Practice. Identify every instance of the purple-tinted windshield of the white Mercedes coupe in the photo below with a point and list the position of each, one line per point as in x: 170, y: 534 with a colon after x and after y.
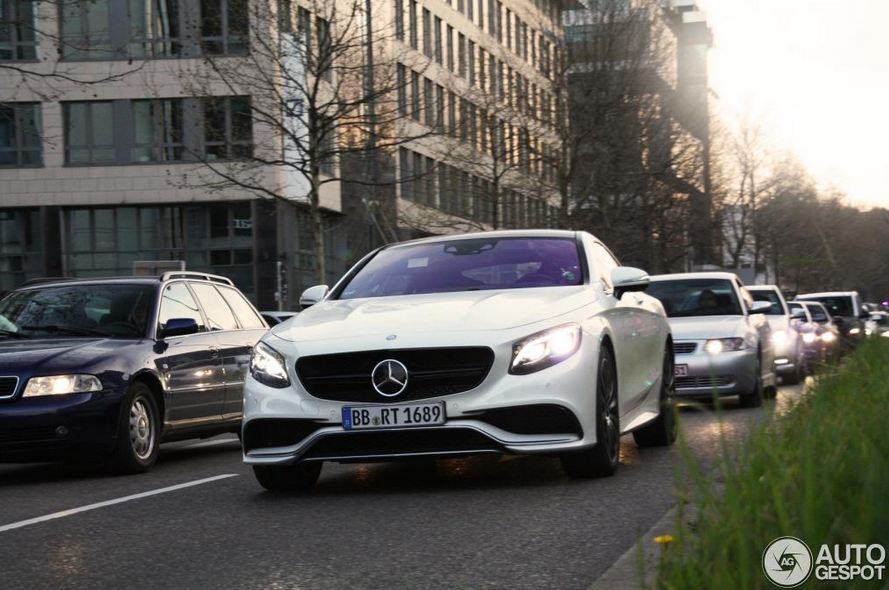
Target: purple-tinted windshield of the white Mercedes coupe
x: 468, y: 265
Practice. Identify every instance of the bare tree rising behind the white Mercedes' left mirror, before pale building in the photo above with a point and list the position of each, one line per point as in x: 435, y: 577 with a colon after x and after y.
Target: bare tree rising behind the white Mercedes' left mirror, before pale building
x: 323, y: 85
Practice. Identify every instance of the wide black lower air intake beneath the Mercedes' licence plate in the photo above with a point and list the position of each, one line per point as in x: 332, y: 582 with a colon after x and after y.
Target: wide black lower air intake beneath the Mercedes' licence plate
x: 438, y: 441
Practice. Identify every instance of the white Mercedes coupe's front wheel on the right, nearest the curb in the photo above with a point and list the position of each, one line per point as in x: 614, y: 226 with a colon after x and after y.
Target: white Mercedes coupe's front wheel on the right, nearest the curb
x: 602, y: 459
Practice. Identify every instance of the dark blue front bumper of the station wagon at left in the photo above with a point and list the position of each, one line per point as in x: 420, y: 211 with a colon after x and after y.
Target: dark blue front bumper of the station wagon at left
x: 53, y: 428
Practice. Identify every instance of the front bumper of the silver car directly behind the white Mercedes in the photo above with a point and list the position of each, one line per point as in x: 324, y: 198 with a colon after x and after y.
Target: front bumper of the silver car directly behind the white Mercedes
x: 723, y: 374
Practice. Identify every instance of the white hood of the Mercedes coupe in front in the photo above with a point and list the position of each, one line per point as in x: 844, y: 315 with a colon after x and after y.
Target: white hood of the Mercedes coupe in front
x: 433, y: 313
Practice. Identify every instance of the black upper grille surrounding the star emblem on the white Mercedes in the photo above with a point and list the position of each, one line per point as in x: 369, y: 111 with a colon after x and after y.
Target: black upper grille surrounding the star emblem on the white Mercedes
x: 432, y: 372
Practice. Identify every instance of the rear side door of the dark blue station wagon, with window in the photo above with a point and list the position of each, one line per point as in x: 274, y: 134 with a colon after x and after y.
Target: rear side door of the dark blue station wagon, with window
x: 236, y: 327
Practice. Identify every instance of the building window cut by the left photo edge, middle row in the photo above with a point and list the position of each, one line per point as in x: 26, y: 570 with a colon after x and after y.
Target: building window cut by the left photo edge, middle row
x: 20, y: 127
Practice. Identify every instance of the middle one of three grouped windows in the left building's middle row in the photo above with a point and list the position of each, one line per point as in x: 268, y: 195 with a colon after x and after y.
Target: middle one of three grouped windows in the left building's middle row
x: 157, y: 131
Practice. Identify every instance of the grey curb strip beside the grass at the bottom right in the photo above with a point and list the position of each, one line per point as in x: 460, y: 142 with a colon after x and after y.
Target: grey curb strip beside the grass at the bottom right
x: 636, y: 568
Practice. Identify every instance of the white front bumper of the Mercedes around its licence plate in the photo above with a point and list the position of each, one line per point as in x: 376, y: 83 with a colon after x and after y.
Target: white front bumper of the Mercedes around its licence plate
x: 285, y: 426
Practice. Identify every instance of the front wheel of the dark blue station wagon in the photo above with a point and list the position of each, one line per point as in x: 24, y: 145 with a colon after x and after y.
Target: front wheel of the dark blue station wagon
x: 138, y: 431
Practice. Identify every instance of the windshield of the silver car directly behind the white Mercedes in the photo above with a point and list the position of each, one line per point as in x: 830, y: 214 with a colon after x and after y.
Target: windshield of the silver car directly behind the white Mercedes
x: 696, y: 297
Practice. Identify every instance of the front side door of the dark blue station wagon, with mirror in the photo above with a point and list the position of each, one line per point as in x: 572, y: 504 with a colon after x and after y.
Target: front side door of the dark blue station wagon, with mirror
x: 191, y: 364
